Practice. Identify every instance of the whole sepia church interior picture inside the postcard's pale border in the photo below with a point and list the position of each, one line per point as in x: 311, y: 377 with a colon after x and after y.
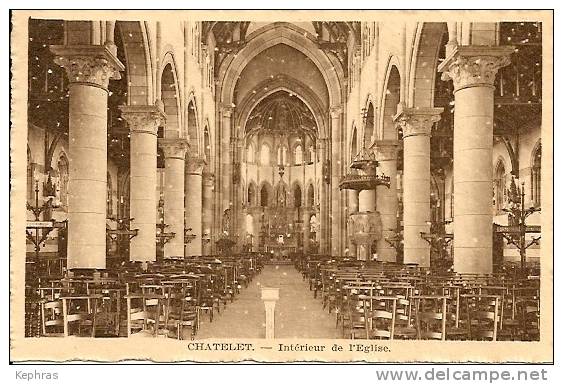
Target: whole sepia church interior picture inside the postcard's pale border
x: 195, y: 179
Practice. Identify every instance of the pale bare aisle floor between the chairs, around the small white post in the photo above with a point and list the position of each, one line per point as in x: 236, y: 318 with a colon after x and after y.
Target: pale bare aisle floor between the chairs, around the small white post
x: 298, y: 314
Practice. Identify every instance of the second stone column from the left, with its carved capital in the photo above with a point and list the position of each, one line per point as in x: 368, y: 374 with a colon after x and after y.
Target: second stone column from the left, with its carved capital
x: 143, y: 121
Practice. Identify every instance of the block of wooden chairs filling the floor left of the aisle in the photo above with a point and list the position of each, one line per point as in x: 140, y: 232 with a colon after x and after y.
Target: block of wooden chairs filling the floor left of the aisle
x: 163, y: 299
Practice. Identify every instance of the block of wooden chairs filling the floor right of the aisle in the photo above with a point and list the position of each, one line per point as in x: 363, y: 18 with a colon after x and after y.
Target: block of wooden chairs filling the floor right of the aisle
x: 380, y: 300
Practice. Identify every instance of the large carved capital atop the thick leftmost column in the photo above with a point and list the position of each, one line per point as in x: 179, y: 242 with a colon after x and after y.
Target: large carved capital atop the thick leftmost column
x: 89, y: 64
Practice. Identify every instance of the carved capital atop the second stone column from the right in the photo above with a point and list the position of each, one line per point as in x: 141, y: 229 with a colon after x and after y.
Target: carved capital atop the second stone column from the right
x: 417, y: 121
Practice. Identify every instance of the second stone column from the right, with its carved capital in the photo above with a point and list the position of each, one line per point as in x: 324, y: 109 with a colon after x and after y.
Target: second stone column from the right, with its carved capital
x: 417, y: 125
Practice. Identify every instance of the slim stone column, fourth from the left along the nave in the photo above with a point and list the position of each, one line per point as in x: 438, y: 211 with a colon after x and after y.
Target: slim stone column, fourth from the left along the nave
x: 194, y: 205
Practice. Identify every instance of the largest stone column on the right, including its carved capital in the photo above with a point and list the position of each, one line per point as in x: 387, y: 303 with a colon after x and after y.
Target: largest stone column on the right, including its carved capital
x: 473, y: 70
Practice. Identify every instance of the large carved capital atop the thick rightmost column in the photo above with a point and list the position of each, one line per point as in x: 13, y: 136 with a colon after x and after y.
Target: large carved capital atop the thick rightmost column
x: 474, y: 66
